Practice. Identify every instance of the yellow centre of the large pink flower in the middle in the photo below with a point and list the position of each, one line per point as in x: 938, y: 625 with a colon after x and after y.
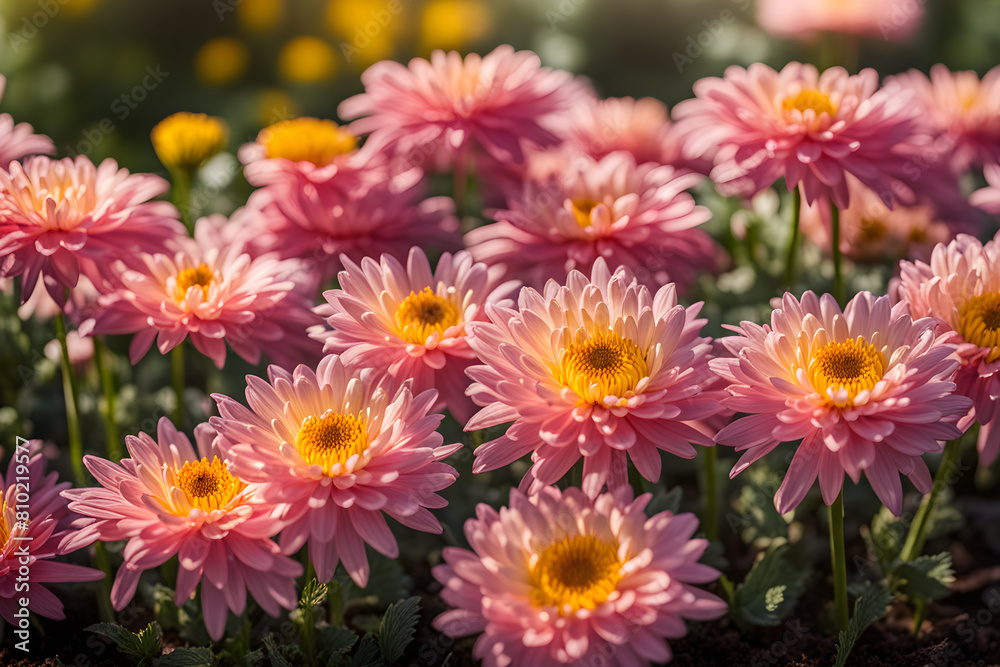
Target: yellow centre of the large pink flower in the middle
x: 605, y: 365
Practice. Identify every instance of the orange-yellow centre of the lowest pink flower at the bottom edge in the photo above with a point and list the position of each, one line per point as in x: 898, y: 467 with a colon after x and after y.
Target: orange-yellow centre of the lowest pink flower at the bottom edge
x: 574, y: 573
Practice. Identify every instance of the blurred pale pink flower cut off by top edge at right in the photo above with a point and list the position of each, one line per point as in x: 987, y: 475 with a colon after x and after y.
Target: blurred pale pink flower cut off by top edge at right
x: 803, y: 19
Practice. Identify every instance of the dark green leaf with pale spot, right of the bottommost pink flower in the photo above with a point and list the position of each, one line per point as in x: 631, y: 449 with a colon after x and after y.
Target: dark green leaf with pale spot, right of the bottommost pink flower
x: 771, y: 589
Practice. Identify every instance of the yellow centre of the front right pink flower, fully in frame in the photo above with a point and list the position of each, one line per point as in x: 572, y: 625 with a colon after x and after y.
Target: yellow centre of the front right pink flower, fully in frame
x: 854, y: 365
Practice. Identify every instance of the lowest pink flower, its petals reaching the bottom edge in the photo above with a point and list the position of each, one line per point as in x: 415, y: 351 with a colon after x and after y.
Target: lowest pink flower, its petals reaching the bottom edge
x: 557, y: 578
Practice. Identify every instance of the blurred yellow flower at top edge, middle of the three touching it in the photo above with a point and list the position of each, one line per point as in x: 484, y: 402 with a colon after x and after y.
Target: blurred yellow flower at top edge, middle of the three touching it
x: 368, y: 29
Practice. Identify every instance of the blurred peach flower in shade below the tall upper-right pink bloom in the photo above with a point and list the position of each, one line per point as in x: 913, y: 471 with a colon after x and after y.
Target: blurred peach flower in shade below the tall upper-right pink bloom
x: 873, y: 233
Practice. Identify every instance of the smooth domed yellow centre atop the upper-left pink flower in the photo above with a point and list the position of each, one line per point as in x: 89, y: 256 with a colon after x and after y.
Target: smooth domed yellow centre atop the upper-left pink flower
x: 307, y: 140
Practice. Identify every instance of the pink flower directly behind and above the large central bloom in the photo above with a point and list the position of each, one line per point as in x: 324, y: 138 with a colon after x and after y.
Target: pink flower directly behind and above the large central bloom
x: 636, y: 216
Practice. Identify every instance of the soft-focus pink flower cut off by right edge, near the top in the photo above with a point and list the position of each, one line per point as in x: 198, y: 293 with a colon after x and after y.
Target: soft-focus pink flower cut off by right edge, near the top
x: 960, y: 108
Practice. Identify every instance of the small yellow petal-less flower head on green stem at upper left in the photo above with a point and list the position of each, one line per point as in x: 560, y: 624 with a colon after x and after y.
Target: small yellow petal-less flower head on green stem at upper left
x: 185, y: 140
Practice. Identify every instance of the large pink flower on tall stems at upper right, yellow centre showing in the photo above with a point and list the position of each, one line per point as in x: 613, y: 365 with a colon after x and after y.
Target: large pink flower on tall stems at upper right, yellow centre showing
x: 760, y: 125
